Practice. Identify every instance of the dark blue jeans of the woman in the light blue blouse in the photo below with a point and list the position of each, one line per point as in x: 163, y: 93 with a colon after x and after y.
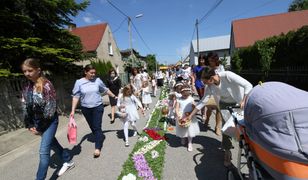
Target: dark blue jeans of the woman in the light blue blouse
x: 94, y: 118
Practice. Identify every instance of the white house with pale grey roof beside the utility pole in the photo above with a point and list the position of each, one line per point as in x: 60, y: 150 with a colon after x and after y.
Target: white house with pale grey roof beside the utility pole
x: 218, y: 44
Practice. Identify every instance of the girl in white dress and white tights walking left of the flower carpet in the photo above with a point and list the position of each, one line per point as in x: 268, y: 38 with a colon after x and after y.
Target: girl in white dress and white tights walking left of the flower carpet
x: 128, y: 102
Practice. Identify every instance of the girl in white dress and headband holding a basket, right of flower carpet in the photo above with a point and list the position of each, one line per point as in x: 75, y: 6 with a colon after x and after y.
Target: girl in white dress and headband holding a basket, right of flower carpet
x: 184, y: 107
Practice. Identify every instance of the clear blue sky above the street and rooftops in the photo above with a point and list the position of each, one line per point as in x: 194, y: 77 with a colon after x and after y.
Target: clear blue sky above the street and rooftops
x: 167, y: 27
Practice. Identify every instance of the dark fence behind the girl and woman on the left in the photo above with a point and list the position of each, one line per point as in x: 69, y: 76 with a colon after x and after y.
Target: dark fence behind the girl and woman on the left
x: 11, y: 117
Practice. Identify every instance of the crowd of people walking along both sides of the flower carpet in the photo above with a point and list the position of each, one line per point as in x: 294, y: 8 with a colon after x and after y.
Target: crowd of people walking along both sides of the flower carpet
x: 214, y: 87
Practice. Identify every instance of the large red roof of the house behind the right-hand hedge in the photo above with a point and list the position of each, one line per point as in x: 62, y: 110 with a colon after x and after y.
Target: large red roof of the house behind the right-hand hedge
x: 245, y: 32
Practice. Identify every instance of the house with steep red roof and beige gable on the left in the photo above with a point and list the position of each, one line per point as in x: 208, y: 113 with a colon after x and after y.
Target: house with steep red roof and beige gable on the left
x: 99, y: 39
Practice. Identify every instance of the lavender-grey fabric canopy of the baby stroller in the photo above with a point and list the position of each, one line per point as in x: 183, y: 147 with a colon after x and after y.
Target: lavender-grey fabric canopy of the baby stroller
x: 276, y: 117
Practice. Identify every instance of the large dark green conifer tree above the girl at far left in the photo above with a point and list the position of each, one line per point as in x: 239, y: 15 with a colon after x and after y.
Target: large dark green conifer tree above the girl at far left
x: 36, y: 28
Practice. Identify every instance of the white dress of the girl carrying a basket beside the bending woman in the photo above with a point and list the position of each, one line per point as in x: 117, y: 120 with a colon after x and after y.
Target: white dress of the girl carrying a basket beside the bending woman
x: 185, y: 105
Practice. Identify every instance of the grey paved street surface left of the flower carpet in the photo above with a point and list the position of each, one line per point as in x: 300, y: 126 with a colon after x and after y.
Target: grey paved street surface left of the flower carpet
x: 19, y: 151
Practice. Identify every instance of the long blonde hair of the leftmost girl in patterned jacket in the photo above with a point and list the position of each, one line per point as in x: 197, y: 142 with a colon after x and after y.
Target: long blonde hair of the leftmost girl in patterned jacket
x: 35, y: 64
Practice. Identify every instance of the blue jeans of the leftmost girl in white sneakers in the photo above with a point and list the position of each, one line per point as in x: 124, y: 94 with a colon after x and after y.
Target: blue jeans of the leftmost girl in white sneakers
x: 49, y: 142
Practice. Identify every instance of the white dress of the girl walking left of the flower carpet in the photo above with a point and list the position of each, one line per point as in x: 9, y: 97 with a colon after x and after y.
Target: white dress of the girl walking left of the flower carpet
x: 130, y: 104
